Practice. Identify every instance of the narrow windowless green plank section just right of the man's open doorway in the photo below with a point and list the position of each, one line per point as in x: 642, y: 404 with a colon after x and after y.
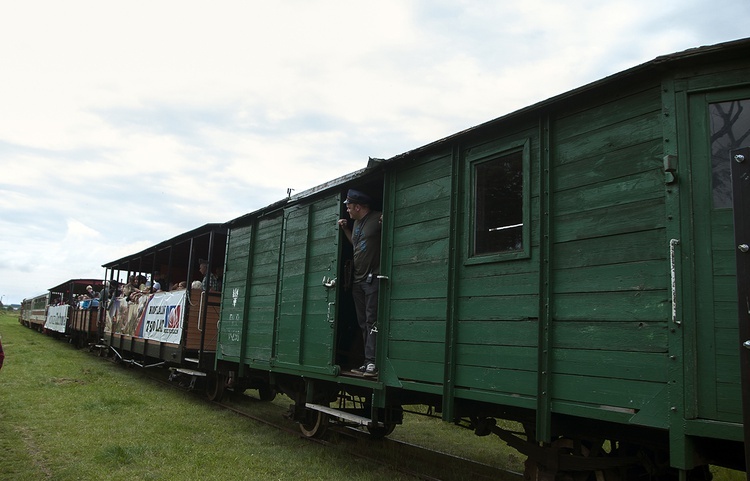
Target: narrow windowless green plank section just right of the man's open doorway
x: 419, y: 278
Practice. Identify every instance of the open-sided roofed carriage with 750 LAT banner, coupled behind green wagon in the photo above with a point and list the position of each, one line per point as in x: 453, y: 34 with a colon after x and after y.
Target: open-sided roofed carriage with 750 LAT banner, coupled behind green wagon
x: 176, y: 324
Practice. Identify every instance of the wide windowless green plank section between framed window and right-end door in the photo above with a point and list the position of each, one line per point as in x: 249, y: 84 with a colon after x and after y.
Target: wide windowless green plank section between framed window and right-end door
x: 609, y: 254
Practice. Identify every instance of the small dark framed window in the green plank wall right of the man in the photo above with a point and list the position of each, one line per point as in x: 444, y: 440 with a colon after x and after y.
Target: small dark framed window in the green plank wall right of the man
x: 498, y: 204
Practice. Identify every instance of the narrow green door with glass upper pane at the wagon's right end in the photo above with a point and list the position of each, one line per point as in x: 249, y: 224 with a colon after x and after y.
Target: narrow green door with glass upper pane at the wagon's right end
x: 719, y: 121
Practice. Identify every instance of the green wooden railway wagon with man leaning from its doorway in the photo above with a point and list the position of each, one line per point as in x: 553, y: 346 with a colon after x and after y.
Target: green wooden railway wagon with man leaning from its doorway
x: 571, y: 266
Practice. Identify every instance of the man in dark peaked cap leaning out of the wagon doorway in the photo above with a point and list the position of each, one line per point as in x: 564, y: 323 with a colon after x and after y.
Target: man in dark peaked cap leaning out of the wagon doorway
x: 364, y: 234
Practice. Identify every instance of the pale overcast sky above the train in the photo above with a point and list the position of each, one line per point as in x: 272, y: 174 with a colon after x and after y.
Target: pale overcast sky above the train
x: 123, y: 124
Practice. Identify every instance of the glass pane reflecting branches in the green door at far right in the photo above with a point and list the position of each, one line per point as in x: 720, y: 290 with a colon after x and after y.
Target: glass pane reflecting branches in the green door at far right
x: 730, y: 129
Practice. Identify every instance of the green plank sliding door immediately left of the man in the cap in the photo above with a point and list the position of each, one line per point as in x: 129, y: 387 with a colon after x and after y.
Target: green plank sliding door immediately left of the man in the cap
x: 304, y: 332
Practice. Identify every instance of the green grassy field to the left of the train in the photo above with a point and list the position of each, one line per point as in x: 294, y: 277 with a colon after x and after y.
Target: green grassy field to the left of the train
x: 68, y: 415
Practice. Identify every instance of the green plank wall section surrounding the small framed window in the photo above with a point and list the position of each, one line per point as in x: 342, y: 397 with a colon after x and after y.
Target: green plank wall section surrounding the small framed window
x: 497, y: 303
